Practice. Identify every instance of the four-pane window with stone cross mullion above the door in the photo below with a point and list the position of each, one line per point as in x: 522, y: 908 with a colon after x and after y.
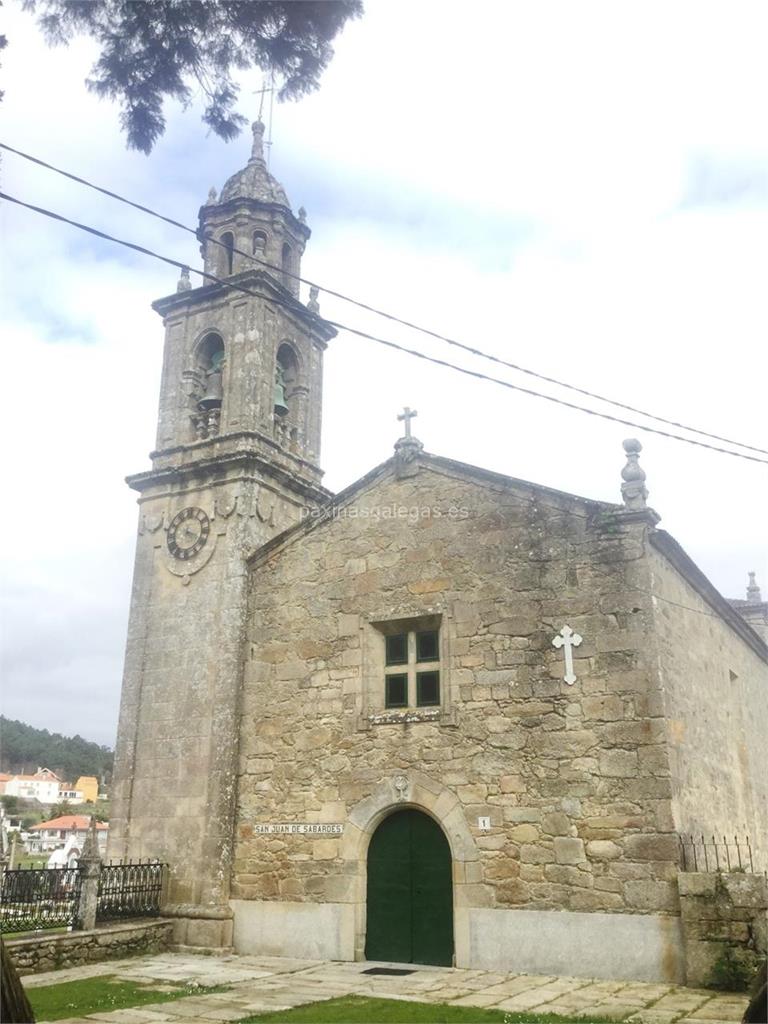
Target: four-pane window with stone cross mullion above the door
x: 412, y: 673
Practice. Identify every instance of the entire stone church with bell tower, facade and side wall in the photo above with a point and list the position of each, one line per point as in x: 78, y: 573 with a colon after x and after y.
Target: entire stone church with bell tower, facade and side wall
x: 446, y: 716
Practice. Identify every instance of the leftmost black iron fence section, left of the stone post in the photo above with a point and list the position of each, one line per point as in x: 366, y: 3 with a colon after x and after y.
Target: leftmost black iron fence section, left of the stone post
x: 39, y: 898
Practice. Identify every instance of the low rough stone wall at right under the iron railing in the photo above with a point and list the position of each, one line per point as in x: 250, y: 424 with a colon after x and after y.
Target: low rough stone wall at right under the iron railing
x: 726, y: 925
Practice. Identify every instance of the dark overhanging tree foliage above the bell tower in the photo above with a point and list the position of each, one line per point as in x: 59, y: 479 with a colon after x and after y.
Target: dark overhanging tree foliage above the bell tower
x: 151, y: 52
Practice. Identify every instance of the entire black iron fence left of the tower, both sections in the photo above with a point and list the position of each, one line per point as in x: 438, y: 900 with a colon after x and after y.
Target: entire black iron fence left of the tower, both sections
x: 56, y: 898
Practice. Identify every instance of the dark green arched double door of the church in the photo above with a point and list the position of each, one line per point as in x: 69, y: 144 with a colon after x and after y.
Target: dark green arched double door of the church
x: 410, y: 892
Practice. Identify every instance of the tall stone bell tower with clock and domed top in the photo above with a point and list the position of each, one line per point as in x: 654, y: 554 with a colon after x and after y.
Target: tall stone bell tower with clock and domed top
x: 237, y: 462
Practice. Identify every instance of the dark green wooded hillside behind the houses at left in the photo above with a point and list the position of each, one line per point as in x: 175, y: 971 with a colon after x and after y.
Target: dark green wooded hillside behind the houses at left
x: 24, y: 748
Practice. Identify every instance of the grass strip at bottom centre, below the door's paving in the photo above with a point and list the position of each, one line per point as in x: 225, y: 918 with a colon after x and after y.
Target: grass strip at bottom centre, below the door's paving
x: 361, y: 1010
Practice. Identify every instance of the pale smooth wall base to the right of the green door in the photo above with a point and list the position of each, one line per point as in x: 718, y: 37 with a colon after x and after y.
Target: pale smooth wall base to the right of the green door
x: 621, y: 947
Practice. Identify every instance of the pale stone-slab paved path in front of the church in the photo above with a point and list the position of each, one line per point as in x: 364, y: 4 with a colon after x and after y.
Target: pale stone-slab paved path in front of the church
x: 260, y: 985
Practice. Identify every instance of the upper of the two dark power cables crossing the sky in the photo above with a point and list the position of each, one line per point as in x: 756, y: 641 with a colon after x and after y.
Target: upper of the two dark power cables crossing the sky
x: 380, y: 313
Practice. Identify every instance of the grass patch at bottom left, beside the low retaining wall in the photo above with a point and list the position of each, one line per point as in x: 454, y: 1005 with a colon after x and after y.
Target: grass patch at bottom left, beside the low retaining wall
x: 76, y: 999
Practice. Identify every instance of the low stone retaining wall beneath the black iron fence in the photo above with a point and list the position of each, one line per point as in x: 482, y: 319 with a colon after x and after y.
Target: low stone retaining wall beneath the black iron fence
x: 49, y: 953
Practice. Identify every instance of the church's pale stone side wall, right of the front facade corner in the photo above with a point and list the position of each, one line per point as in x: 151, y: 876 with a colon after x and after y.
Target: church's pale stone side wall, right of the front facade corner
x: 716, y: 705
